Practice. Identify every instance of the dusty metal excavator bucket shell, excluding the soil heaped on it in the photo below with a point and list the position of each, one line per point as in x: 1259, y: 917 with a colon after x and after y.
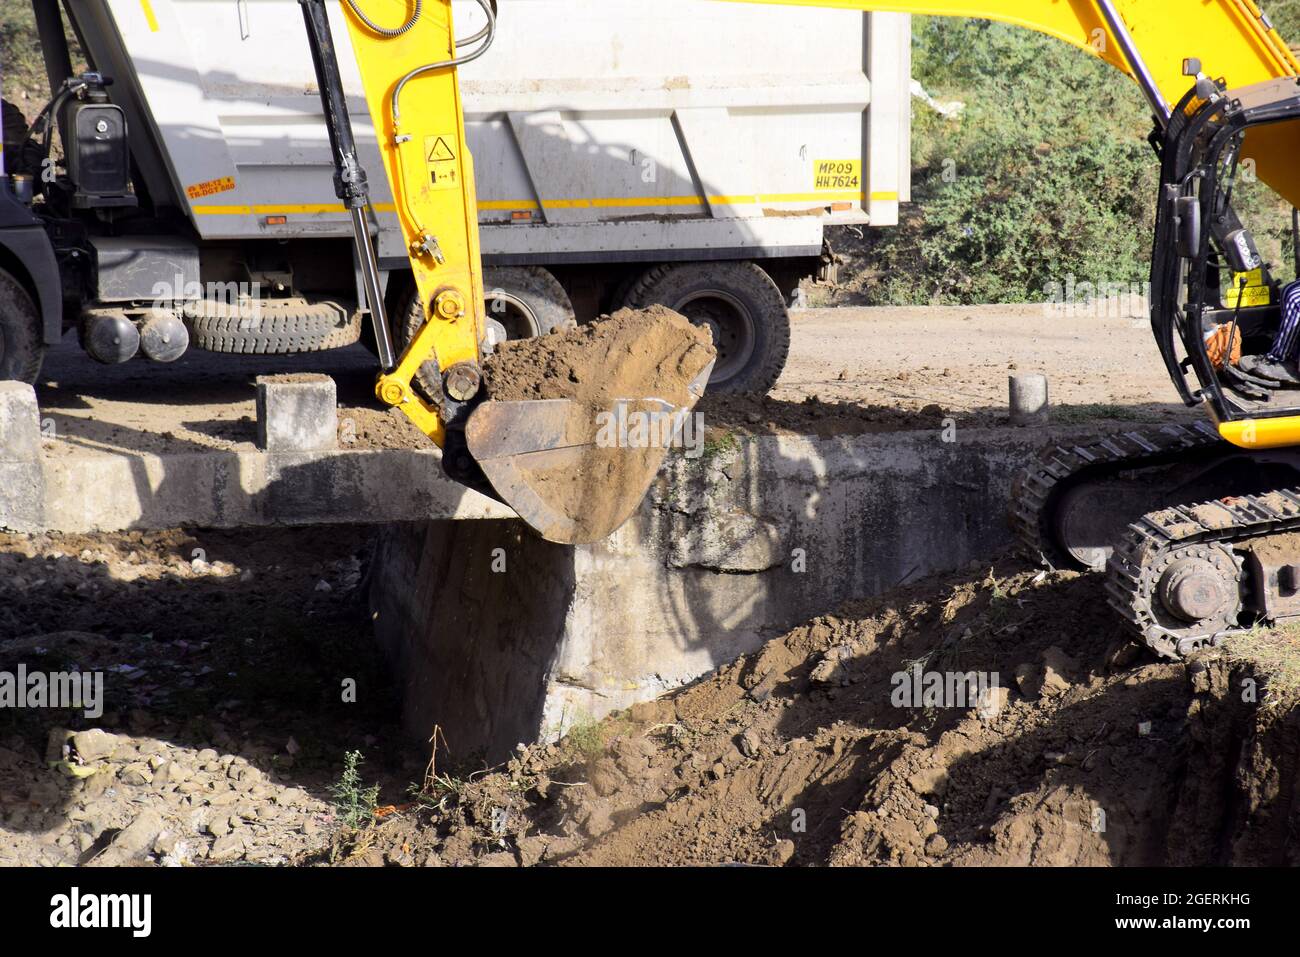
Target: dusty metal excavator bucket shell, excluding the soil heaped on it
x: 575, y: 473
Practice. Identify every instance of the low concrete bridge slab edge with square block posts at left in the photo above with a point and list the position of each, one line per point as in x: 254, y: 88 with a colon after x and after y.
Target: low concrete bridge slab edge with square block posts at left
x: 76, y: 486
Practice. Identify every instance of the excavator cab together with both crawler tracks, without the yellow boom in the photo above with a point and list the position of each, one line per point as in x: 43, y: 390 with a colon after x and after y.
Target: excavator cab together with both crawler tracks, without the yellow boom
x: 1195, y: 526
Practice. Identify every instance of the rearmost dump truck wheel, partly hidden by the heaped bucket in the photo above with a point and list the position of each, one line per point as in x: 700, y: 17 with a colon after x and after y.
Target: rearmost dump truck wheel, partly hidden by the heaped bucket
x: 743, y: 309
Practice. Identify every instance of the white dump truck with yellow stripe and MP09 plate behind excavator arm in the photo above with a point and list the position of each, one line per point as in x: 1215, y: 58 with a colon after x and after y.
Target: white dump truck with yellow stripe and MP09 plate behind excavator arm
x: 684, y: 153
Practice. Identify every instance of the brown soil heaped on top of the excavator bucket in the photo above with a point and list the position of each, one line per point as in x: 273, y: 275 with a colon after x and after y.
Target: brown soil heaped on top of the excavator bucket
x: 629, y: 356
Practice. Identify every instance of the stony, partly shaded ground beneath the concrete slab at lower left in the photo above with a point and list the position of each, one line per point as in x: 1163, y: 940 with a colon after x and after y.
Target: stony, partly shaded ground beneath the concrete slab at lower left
x: 227, y: 665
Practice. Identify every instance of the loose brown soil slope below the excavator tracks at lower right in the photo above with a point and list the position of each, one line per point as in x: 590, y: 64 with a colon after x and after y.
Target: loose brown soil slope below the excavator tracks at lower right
x: 805, y: 754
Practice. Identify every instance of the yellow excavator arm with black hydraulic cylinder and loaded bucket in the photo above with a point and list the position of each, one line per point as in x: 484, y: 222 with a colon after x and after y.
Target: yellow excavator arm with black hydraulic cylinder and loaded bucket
x: 549, y: 458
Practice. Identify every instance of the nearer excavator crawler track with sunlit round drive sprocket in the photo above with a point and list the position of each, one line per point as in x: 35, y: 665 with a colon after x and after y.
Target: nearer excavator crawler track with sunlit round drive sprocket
x: 1204, y: 539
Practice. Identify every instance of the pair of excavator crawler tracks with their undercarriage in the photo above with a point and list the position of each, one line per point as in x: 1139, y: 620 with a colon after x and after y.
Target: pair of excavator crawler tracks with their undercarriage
x: 1197, y: 538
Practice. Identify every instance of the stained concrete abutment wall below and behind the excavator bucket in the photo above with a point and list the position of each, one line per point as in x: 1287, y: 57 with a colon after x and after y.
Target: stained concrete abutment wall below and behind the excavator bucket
x: 727, y: 552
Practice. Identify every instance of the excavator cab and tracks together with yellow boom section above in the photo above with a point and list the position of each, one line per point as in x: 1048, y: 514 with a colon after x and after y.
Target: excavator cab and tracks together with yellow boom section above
x: 1194, y: 526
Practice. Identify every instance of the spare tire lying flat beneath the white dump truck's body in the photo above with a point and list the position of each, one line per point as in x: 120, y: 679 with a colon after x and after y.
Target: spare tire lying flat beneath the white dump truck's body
x: 276, y: 327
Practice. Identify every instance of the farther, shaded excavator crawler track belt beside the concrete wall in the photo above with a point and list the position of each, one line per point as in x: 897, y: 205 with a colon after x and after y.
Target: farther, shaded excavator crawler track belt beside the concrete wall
x: 1061, y: 467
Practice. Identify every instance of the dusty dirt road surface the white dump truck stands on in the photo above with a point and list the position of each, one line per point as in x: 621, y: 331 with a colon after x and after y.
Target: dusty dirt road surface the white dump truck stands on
x: 870, y: 367
